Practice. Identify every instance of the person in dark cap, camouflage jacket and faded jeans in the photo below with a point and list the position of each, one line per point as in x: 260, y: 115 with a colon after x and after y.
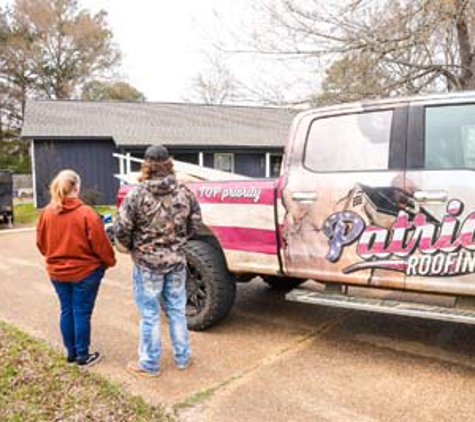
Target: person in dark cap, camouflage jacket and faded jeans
x: 154, y: 222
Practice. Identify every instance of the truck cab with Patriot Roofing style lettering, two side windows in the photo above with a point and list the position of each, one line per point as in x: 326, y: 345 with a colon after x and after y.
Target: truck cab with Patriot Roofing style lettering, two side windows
x: 381, y: 194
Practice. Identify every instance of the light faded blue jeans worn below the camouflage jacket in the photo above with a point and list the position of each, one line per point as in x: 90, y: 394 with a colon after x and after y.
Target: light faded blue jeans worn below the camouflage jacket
x: 148, y: 287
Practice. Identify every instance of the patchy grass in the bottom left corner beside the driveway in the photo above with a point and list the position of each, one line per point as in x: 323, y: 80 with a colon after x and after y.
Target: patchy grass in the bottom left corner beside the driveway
x: 37, y: 385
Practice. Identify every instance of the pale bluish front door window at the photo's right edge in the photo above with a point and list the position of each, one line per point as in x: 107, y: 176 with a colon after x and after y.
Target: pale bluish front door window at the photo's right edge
x: 449, y: 141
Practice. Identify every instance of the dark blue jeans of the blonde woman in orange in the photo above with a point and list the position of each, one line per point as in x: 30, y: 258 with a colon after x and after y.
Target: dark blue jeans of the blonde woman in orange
x: 77, y: 303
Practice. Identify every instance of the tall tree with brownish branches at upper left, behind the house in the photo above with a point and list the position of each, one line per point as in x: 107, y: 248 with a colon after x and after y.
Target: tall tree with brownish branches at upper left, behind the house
x: 50, y: 49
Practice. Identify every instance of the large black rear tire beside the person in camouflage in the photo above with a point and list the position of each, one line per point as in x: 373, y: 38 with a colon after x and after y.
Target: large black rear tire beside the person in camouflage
x: 211, y: 288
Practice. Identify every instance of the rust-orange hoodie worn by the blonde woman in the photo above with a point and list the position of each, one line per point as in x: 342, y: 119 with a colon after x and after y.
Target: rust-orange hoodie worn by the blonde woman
x: 73, y: 241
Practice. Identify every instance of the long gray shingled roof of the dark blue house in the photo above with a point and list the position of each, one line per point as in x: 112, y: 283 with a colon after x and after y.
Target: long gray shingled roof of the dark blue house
x: 129, y: 123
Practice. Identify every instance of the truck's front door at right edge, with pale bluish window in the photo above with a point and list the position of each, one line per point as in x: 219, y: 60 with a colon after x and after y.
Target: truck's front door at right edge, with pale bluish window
x: 441, y: 174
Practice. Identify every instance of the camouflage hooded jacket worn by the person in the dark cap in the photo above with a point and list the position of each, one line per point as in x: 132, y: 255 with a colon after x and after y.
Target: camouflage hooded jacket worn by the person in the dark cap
x: 154, y: 222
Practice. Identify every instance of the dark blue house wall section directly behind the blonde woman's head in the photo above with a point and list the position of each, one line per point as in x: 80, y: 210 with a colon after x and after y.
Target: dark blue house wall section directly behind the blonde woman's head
x: 92, y: 159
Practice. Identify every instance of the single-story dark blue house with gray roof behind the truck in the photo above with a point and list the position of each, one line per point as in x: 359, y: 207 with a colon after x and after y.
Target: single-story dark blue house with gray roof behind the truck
x: 84, y: 135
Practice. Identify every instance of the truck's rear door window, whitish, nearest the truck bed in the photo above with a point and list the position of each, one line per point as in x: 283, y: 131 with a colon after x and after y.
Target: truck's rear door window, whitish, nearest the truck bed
x: 352, y: 142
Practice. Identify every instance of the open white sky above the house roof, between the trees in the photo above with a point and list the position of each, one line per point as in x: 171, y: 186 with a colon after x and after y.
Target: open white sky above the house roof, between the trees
x: 166, y: 44
